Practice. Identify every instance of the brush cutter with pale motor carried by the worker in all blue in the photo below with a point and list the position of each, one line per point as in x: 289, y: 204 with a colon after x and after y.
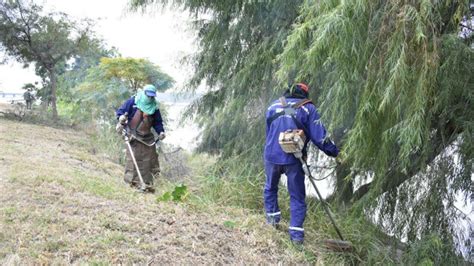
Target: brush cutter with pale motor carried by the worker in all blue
x: 292, y: 141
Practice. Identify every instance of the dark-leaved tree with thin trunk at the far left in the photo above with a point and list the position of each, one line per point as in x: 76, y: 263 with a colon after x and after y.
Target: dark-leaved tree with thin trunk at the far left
x: 47, y: 40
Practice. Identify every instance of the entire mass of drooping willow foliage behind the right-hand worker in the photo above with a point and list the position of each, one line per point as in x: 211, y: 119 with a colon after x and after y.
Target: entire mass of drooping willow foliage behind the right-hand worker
x: 392, y: 80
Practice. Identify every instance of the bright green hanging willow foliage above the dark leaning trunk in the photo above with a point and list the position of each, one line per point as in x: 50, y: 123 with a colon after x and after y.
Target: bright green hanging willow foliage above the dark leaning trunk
x: 381, y: 82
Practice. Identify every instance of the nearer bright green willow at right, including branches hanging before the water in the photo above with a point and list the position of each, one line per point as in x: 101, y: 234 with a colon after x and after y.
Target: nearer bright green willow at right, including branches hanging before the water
x: 395, y: 76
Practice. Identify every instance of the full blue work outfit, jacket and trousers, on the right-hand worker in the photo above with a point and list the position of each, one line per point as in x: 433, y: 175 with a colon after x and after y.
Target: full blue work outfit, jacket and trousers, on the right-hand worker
x: 278, y: 162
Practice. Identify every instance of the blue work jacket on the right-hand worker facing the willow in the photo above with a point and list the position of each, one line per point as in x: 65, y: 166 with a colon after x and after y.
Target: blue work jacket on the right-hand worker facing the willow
x: 308, y: 116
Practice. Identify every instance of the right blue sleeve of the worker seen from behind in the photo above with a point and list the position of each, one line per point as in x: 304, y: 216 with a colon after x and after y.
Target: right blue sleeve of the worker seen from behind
x: 317, y: 133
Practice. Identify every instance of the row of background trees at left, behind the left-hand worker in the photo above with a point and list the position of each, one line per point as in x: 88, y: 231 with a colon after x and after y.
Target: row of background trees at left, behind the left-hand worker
x: 75, y: 66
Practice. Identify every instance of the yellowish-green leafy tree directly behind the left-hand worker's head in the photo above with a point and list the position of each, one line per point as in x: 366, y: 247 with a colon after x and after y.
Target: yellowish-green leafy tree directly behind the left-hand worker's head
x: 95, y: 87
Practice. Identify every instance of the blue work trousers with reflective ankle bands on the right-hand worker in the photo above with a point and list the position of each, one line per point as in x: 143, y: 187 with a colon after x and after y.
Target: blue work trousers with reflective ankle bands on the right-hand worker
x: 296, y: 189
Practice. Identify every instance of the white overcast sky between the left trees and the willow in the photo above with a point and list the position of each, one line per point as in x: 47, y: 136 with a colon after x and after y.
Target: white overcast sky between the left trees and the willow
x: 162, y: 37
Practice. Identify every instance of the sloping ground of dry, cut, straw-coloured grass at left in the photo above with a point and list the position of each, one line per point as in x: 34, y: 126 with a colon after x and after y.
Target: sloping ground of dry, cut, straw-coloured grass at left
x: 61, y: 203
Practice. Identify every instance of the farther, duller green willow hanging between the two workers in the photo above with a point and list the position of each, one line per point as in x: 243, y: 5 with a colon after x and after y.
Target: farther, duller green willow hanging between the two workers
x: 238, y: 42
